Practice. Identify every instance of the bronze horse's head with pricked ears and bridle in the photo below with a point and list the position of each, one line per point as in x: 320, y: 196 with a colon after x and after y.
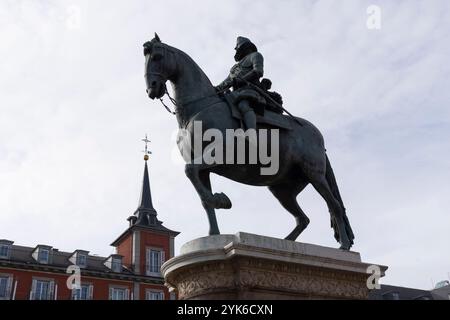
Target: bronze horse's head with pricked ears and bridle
x: 158, y: 67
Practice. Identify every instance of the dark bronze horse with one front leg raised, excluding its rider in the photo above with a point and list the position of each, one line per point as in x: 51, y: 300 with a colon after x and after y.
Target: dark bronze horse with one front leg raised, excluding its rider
x: 302, y: 155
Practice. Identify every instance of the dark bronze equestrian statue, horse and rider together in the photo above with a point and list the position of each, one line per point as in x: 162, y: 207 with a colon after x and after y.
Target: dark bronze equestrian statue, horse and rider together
x: 251, y: 106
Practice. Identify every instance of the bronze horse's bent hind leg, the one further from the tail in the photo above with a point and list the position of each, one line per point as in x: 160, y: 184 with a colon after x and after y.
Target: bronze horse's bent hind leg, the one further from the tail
x: 286, y: 194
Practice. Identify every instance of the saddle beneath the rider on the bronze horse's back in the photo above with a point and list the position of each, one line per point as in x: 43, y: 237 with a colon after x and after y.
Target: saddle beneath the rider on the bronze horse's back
x: 264, y: 114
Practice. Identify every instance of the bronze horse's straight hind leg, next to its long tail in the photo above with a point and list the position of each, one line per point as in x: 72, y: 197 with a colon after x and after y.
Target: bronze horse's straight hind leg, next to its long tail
x: 320, y: 183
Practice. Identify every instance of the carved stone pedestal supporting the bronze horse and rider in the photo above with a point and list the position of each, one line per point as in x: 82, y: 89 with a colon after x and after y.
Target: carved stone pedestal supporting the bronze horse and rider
x: 248, y: 266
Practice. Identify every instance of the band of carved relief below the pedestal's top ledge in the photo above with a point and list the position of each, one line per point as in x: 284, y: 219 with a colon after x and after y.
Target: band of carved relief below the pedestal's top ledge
x: 249, y: 274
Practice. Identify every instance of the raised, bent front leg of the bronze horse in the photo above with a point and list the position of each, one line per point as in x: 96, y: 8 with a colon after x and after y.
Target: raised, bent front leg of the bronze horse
x: 217, y: 200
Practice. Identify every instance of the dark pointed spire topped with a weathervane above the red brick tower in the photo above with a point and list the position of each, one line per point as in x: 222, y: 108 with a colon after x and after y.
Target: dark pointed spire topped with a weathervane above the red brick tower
x: 145, y: 214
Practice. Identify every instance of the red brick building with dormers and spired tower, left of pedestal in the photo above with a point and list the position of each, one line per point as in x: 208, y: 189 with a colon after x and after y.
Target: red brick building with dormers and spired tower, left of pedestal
x: 133, y: 273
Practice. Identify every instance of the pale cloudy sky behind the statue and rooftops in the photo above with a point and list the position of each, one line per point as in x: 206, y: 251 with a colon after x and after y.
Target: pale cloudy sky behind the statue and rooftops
x: 73, y: 111
